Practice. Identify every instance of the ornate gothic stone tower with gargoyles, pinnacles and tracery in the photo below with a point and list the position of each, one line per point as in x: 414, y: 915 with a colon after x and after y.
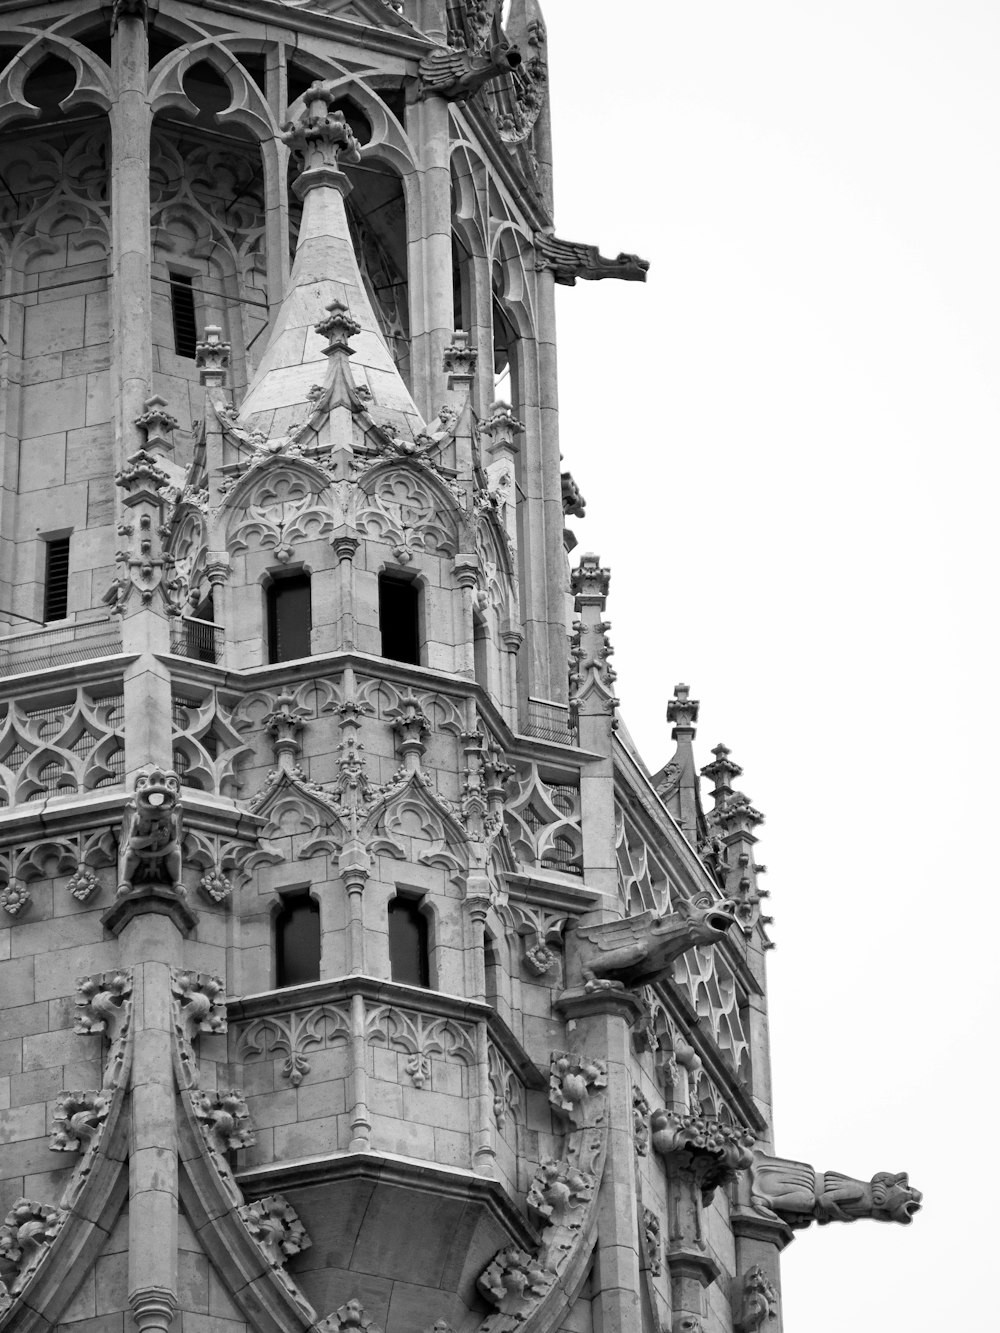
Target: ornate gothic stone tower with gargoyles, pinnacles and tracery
x: 361, y: 975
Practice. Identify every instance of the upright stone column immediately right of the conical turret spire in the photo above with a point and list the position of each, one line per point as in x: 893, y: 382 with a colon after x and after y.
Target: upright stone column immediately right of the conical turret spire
x: 431, y: 307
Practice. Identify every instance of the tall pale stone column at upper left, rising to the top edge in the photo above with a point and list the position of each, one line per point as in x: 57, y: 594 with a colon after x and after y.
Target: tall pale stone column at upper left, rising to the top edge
x: 131, y: 122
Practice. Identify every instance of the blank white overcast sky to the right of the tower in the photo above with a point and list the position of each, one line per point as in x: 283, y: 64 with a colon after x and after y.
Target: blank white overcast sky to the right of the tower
x: 789, y: 443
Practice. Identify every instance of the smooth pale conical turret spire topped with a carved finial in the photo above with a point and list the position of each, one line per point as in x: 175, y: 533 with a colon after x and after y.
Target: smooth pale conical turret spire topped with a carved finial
x: 325, y: 270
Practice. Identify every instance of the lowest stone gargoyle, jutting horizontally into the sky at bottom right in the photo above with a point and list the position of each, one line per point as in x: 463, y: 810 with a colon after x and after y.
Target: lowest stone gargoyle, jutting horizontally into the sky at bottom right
x: 799, y: 1195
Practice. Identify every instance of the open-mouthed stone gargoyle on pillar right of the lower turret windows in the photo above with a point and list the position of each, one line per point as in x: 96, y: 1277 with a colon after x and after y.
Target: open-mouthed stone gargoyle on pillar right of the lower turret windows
x: 641, y: 950
